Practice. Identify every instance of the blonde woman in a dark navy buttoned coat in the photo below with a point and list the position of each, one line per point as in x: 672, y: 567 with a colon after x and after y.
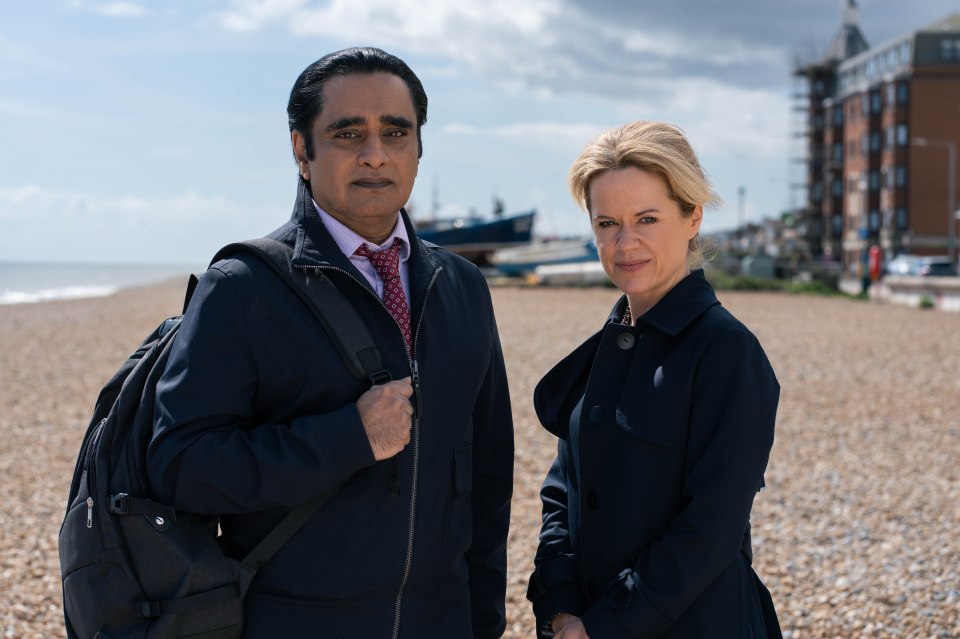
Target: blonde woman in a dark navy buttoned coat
x: 665, y: 421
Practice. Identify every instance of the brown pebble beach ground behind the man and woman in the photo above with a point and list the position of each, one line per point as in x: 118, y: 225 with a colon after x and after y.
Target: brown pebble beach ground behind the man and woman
x: 855, y: 534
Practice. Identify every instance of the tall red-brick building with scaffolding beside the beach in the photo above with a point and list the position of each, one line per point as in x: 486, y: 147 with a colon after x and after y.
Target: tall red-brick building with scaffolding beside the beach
x: 878, y: 126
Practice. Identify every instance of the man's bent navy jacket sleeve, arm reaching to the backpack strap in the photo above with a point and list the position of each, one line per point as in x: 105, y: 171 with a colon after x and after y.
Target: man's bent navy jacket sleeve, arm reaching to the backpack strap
x: 207, y: 455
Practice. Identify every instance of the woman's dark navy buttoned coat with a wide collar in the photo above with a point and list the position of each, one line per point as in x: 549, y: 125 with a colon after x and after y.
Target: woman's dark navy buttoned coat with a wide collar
x: 664, y: 433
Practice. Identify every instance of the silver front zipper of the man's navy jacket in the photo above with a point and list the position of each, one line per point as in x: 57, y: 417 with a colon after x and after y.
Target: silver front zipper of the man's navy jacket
x: 415, y: 434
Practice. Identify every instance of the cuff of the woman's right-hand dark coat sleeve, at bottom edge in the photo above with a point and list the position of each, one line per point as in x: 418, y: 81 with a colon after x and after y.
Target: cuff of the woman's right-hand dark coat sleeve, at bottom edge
x: 624, y: 611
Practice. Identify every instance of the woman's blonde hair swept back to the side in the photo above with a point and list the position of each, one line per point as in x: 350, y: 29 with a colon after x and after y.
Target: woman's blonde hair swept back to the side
x: 655, y: 147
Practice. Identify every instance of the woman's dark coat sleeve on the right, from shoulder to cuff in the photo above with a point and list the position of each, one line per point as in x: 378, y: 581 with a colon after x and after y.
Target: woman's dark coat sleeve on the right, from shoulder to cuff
x: 734, y: 402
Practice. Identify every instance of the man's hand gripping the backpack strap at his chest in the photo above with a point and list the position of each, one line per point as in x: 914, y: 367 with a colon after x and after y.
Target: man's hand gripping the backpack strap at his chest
x: 385, y: 411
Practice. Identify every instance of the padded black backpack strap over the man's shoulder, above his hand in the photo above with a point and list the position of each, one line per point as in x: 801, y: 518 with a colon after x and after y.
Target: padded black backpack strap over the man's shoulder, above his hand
x: 331, y: 308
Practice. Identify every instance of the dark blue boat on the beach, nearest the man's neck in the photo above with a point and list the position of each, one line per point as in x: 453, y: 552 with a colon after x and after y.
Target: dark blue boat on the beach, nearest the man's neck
x: 476, y: 238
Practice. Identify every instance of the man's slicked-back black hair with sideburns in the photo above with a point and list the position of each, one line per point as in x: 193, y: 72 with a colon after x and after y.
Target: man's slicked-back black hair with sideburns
x: 306, y: 97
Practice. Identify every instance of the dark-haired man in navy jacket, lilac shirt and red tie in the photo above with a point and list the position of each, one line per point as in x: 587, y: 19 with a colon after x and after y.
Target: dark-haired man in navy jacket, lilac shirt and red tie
x: 256, y: 412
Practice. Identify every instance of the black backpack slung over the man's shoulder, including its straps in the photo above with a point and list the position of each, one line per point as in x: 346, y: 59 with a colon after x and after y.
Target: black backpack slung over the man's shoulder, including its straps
x: 133, y: 567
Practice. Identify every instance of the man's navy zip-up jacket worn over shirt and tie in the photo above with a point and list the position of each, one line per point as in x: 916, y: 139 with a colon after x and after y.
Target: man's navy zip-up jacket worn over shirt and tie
x: 255, y: 414
